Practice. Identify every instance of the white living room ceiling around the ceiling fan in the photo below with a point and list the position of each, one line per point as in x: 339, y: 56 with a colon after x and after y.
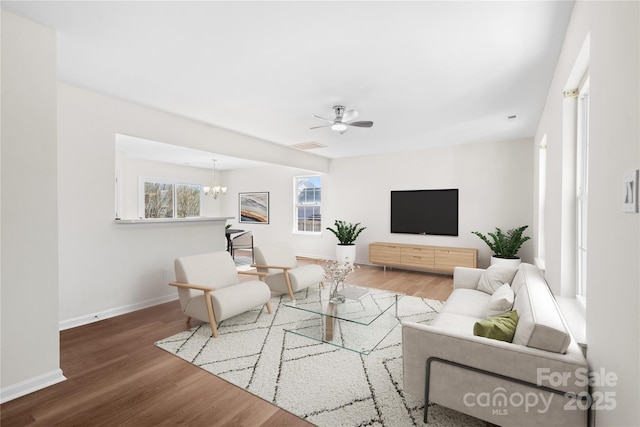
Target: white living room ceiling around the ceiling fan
x: 427, y: 73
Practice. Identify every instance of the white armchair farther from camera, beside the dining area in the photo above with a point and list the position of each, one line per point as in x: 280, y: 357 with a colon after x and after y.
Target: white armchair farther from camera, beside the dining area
x: 284, y: 275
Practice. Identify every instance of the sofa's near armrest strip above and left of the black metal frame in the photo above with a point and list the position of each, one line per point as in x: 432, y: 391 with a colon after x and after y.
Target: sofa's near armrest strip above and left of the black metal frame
x: 421, y: 342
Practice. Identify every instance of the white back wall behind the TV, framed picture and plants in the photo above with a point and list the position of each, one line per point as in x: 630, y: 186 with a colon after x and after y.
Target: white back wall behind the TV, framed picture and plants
x: 495, y: 182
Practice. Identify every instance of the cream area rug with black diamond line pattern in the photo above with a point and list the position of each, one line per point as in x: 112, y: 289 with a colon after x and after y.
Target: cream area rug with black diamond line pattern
x: 324, y: 384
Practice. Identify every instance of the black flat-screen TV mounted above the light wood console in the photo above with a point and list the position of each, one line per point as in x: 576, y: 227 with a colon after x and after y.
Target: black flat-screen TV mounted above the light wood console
x: 425, y: 212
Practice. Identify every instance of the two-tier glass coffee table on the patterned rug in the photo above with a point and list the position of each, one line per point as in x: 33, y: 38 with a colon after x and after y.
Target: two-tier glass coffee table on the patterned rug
x: 359, y: 324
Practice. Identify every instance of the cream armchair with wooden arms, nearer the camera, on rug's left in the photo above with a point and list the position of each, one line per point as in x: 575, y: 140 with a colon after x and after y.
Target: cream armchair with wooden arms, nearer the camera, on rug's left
x: 210, y: 290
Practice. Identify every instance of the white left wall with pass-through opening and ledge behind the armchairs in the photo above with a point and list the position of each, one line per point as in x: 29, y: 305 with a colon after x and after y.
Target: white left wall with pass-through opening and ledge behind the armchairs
x: 108, y: 268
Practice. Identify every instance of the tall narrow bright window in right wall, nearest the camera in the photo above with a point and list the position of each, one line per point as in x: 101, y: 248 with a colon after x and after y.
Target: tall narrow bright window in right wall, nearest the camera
x: 582, y: 189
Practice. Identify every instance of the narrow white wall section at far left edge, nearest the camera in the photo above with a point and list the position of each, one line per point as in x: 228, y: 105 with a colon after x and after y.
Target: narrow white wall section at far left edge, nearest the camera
x: 30, y: 346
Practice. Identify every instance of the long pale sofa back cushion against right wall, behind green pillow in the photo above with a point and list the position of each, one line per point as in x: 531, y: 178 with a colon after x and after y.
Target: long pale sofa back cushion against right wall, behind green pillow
x: 540, y: 323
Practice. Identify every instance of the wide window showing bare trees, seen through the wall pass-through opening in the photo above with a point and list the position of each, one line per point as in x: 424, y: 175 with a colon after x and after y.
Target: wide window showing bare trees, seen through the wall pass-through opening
x: 170, y: 200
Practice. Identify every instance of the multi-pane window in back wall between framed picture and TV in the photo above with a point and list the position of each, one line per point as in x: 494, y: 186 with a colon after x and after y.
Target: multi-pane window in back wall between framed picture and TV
x: 307, y: 196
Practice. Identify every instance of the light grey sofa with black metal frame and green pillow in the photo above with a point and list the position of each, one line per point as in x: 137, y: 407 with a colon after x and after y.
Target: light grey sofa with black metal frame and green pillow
x: 537, y: 379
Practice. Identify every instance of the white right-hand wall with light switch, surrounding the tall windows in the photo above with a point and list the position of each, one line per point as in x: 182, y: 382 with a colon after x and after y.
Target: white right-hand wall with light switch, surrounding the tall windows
x: 613, y: 295
